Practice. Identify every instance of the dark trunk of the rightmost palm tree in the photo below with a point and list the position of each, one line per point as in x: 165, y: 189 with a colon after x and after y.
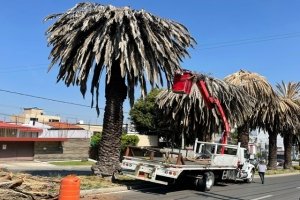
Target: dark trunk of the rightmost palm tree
x: 288, y: 143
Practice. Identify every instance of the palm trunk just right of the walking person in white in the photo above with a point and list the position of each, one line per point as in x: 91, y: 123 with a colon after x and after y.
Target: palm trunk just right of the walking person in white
x: 272, y: 164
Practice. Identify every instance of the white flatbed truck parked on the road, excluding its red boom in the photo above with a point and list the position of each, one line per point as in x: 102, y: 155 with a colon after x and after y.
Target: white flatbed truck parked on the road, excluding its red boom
x: 203, y: 165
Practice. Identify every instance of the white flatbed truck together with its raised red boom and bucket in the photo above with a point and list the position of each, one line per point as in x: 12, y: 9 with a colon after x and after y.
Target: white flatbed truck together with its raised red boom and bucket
x: 203, y: 165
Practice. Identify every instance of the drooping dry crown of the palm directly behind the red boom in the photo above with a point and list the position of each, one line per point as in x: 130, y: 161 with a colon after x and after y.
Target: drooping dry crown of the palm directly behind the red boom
x: 190, y: 113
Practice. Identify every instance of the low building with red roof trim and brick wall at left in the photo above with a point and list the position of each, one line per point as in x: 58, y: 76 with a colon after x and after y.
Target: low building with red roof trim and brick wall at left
x: 38, y: 141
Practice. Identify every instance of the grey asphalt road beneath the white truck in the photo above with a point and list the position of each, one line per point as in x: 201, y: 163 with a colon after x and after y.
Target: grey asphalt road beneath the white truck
x: 275, y: 188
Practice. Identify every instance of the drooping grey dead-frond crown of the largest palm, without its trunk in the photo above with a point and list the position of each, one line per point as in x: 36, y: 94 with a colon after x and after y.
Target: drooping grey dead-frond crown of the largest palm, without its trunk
x: 91, y: 34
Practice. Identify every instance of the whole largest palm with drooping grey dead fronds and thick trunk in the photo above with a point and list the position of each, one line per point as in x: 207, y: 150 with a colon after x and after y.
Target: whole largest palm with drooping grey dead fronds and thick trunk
x: 130, y: 45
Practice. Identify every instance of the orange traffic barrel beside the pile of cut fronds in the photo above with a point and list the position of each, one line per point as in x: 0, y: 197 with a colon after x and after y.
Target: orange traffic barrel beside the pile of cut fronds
x: 69, y: 188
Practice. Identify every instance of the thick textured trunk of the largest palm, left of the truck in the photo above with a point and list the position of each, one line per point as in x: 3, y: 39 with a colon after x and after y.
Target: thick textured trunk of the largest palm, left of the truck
x: 110, y: 144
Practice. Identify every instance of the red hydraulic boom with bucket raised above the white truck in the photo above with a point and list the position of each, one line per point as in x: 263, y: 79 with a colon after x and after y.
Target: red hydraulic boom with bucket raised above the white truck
x: 183, y: 83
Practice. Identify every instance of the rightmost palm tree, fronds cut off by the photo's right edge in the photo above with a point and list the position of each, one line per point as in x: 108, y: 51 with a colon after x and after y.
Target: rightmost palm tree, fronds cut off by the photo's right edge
x: 289, y: 94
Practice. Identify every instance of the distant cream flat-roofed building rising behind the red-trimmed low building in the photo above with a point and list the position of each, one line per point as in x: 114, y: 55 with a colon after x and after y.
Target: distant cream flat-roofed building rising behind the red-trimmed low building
x: 34, y: 114
